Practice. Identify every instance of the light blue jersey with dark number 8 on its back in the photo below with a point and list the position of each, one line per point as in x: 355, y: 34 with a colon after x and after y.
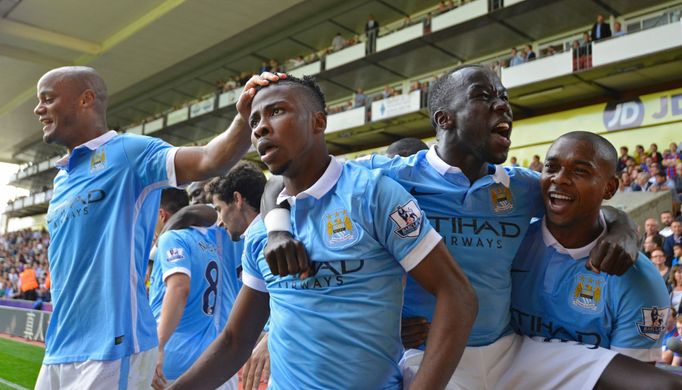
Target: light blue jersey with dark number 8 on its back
x: 193, y: 252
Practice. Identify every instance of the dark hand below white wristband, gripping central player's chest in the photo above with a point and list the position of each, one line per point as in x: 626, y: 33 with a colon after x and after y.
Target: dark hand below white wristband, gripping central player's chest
x: 286, y: 255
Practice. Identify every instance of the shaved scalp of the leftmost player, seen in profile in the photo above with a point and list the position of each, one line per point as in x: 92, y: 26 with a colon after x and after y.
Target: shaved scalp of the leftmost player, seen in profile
x: 81, y: 78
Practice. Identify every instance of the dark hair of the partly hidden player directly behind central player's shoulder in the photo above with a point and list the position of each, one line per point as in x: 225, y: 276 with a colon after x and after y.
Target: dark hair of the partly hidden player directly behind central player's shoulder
x: 245, y: 178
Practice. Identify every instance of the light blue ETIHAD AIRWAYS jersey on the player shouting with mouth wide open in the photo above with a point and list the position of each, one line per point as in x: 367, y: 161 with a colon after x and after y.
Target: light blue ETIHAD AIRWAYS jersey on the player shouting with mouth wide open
x: 482, y: 224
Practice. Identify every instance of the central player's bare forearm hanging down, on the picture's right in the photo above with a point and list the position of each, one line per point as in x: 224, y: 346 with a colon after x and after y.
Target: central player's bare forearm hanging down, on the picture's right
x: 454, y: 315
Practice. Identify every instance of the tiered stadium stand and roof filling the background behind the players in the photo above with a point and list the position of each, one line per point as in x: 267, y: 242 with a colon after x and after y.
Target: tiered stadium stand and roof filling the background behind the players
x: 627, y: 87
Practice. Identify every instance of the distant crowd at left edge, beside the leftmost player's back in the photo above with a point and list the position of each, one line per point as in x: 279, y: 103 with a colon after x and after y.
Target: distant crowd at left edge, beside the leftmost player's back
x: 23, y: 265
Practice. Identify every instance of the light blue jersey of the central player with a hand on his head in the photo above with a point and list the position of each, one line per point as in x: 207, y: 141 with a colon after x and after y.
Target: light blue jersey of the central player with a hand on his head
x: 340, y: 329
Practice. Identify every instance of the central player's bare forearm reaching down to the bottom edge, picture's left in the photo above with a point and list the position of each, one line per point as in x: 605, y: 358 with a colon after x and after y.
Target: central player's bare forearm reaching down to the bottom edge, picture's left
x: 221, y: 360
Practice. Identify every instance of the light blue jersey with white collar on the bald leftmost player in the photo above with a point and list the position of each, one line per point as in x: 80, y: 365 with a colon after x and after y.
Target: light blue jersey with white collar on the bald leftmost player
x: 101, y: 221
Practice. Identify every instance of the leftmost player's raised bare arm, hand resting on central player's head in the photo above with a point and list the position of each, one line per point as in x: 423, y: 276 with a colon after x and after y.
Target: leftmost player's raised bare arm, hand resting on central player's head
x: 221, y: 153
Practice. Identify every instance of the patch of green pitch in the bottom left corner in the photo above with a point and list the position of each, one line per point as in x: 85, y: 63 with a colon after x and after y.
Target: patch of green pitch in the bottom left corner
x: 19, y: 363
